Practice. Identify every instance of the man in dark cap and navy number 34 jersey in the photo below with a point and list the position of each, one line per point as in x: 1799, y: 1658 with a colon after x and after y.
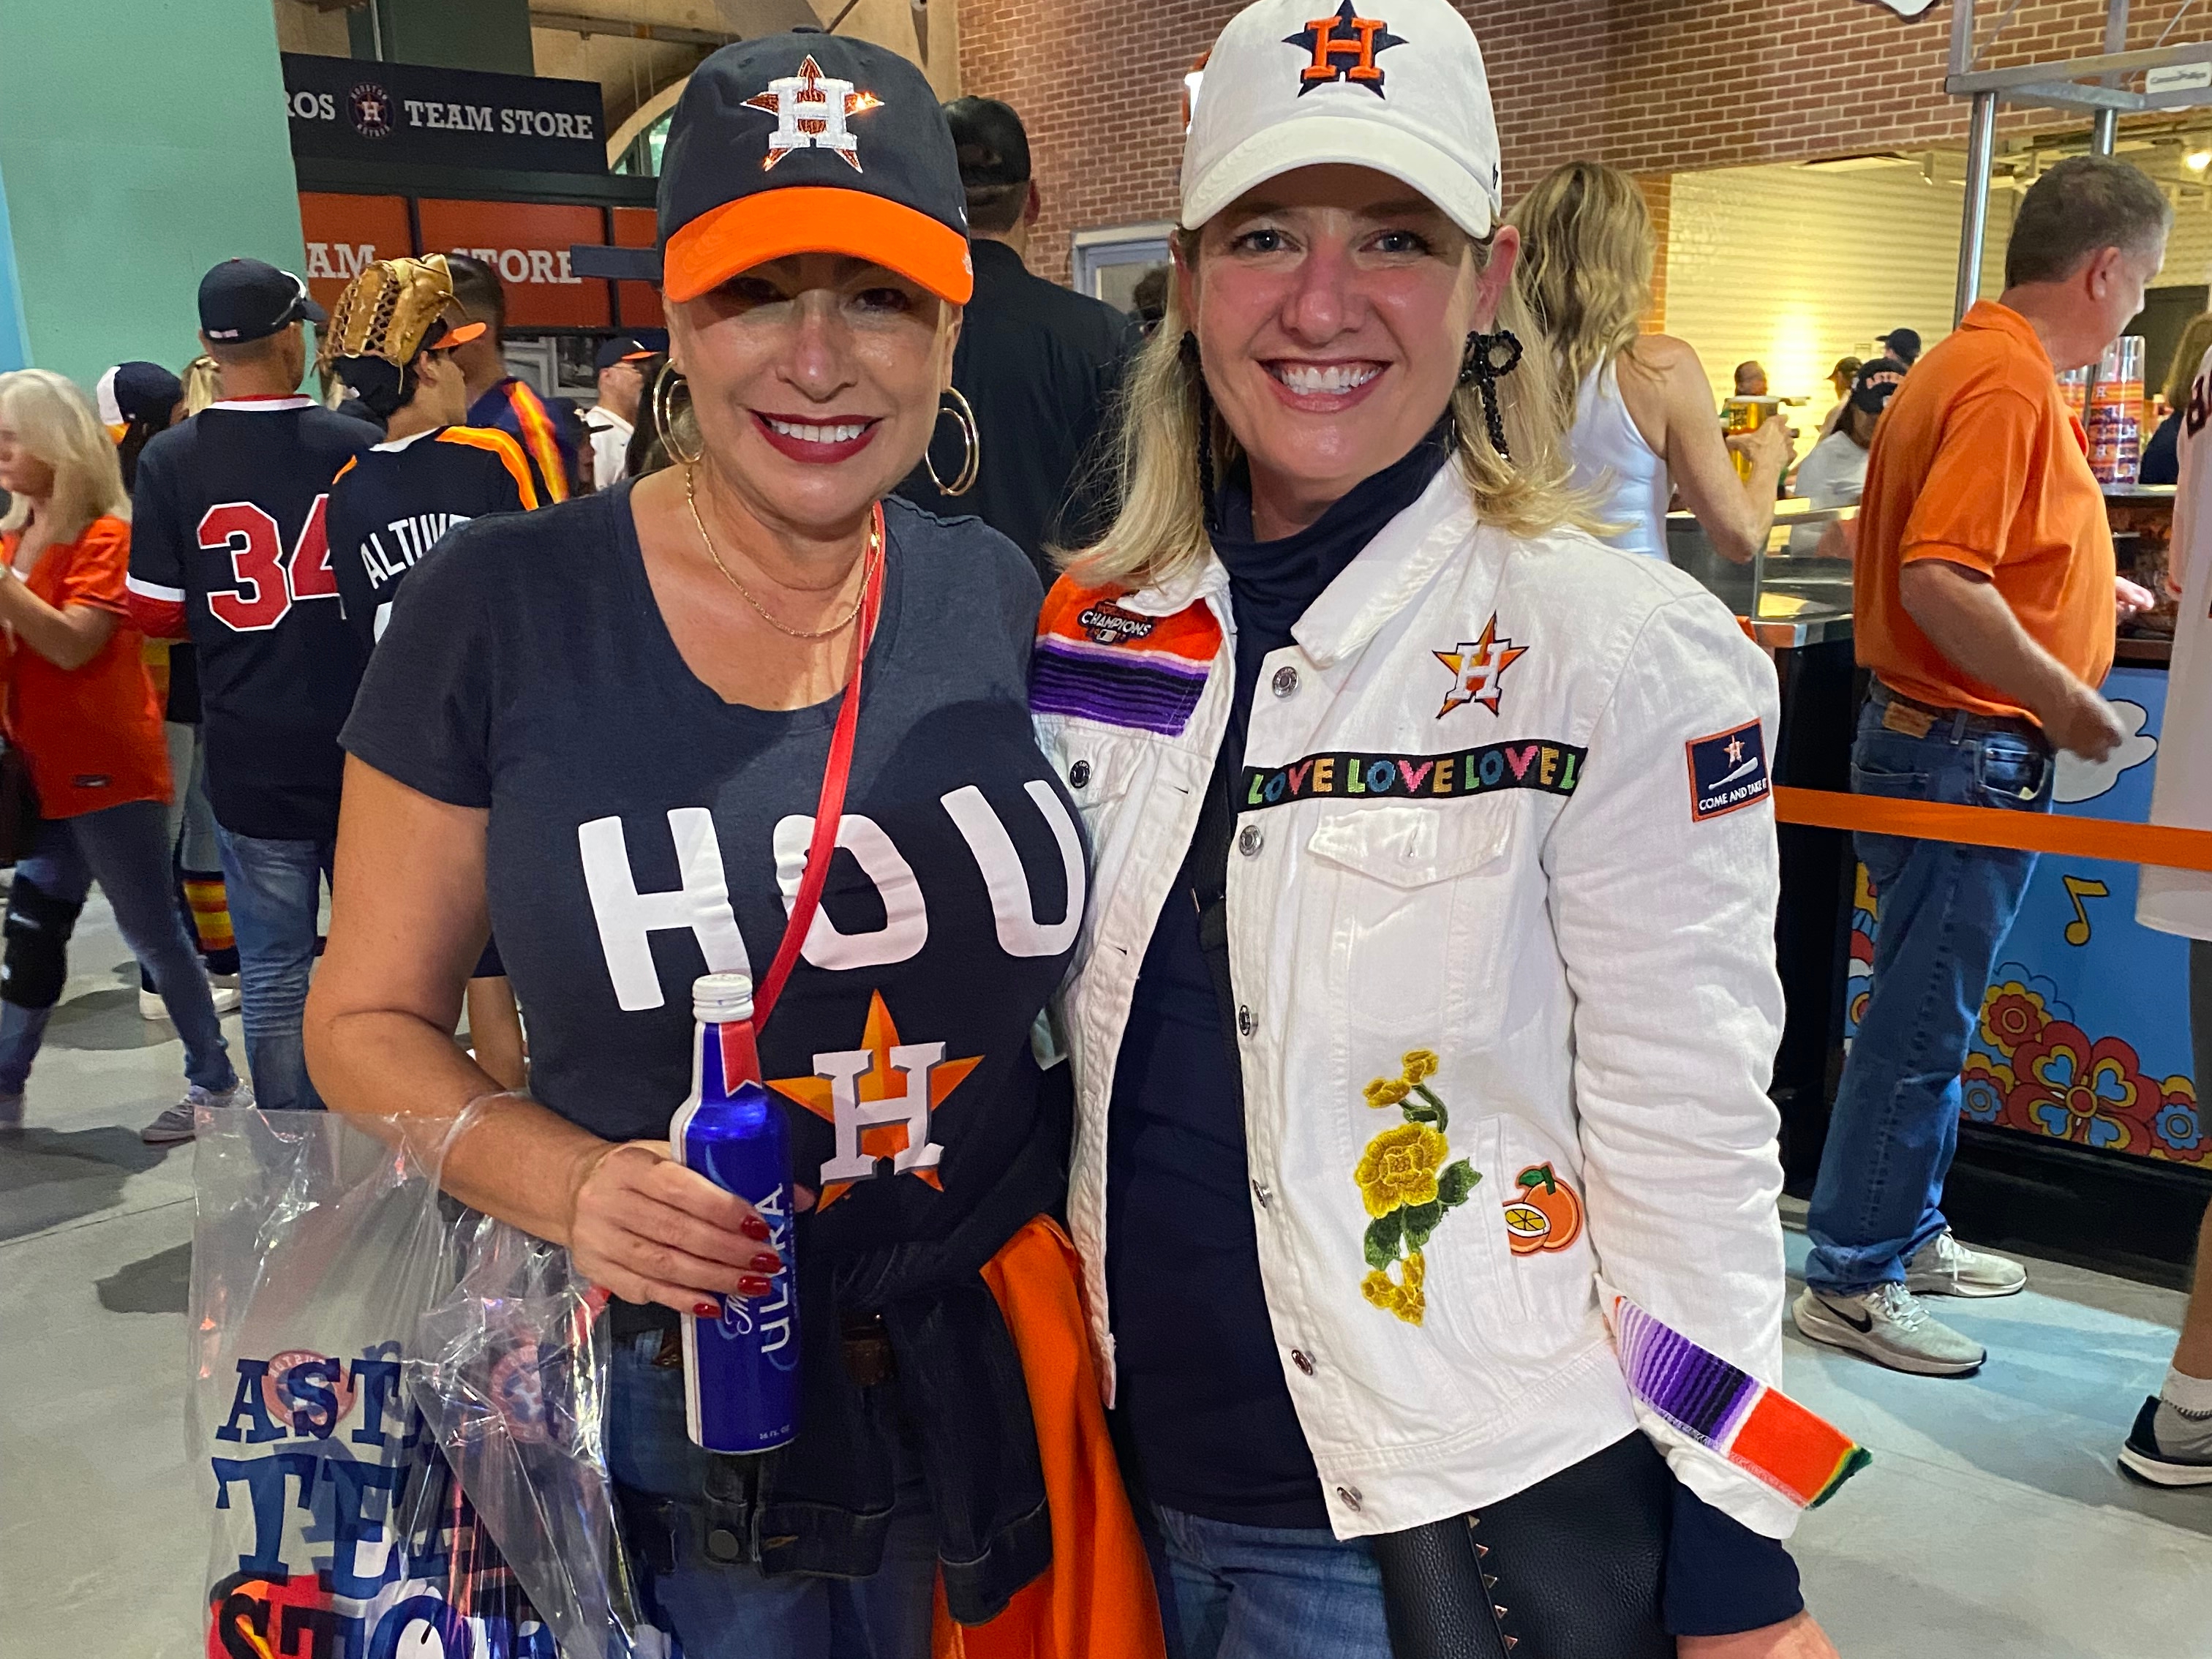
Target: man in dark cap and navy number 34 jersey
x: 229, y: 550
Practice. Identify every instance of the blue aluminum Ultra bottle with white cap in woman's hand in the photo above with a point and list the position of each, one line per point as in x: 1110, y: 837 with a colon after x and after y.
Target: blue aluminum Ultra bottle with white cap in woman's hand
x: 740, y: 1370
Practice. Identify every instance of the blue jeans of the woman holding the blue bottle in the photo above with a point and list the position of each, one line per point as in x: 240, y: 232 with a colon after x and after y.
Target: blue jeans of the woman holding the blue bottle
x: 724, y: 1611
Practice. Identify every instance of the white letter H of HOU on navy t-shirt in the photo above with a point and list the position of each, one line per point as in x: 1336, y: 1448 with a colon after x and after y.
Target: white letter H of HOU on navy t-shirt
x: 627, y: 917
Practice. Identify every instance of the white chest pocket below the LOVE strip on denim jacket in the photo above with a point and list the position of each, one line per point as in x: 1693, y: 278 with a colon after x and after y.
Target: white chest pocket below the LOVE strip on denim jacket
x: 1417, y: 904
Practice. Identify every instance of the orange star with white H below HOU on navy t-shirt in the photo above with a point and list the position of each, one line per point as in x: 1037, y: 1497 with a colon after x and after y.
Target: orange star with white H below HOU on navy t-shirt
x: 879, y: 1100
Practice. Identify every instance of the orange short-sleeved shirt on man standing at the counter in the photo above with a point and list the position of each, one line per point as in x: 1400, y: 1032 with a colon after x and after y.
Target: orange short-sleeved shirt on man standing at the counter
x: 1979, y: 461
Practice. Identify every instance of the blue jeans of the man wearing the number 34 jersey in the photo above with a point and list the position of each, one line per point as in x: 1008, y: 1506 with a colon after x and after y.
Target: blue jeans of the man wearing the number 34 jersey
x: 275, y: 901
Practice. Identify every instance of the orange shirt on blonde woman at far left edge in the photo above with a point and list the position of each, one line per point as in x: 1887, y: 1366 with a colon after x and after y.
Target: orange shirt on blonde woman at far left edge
x: 94, y: 733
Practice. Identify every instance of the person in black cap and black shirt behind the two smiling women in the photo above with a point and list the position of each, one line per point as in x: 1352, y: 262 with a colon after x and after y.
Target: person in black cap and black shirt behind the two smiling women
x: 1039, y: 364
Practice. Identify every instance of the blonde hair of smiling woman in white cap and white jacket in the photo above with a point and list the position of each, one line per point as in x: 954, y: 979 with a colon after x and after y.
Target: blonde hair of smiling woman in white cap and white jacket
x: 1160, y: 532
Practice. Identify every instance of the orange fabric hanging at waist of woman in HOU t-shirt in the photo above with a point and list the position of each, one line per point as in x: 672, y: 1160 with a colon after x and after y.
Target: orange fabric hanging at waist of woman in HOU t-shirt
x: 1096, y: 1600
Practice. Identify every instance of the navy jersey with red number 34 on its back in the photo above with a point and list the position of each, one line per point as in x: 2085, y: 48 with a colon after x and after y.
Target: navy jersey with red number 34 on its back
x: 229, y: 545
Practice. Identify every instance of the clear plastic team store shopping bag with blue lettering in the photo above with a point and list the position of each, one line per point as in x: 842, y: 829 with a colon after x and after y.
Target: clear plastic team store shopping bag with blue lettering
x: 399, y: 1408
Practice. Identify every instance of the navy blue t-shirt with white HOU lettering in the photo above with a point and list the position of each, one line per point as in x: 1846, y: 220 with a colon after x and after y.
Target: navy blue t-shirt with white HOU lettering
x: 645, y: 833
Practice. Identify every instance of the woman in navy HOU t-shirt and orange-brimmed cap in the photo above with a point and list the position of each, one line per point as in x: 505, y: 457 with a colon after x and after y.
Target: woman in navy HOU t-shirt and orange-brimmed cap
x: 625, y: 733
